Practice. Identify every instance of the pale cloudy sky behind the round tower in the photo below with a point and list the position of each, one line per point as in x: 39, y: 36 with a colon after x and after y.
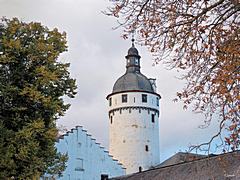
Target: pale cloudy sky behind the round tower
x: 97, y: 56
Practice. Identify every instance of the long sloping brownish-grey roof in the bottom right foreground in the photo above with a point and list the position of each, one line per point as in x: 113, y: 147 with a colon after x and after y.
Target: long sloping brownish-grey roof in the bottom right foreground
x: 220, y: 167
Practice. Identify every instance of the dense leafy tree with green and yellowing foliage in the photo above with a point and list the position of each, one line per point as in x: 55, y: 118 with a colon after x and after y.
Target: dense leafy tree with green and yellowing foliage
x: 32, y: 86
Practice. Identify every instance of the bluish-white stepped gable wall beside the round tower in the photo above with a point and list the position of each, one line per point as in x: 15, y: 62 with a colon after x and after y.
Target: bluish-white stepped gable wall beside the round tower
x: 87, y: 159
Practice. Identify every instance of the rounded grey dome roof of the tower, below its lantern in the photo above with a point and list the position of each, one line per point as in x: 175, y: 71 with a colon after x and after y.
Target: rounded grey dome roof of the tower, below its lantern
x: 132, y: 81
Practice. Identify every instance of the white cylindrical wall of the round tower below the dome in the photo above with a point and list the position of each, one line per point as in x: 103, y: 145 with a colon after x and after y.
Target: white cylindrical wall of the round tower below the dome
x: 132, y: 129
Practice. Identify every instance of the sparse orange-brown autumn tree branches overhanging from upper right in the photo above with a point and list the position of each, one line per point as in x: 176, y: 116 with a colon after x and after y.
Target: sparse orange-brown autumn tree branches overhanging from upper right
x: 202, y: 38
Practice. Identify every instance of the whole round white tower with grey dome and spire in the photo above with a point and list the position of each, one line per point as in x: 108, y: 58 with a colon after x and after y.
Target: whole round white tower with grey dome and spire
x: 133, y: 118
